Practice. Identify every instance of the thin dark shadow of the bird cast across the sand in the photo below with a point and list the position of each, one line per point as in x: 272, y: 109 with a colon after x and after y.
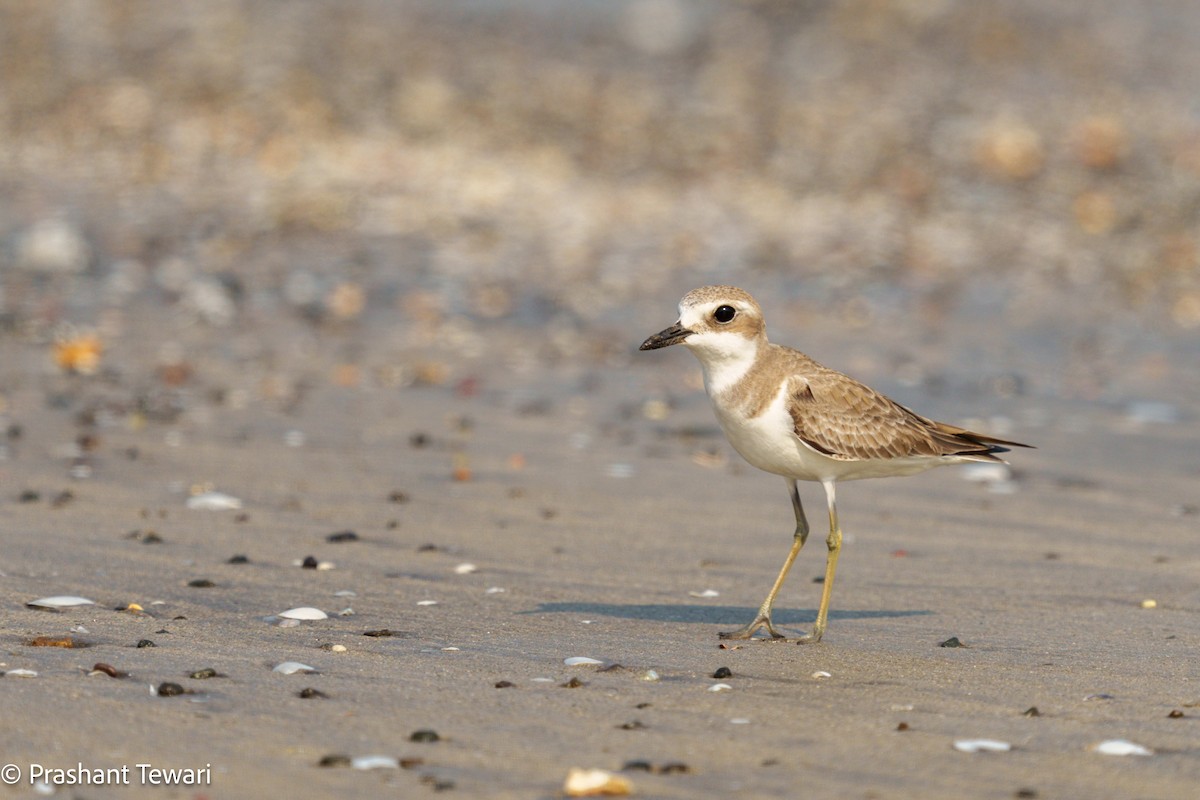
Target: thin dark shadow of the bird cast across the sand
x: 707, y: 615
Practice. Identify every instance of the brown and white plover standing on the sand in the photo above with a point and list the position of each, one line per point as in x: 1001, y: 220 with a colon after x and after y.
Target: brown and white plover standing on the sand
x: 789, y: 416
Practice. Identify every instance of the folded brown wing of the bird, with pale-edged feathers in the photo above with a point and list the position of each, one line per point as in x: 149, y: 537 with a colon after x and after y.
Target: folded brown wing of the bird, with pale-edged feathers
x: 847, y: 420
